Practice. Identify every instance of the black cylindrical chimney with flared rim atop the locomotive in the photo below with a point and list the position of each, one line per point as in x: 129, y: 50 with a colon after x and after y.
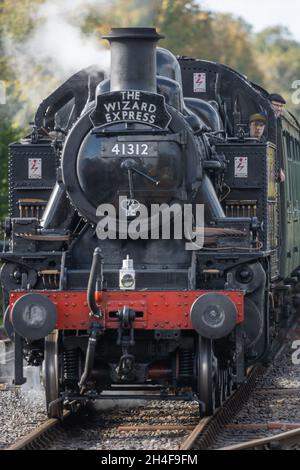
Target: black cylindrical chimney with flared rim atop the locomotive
x: 133, y: 58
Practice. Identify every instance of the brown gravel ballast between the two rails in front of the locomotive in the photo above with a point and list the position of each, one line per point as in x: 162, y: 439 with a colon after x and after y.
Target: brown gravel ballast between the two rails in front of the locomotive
x: 95, y: 430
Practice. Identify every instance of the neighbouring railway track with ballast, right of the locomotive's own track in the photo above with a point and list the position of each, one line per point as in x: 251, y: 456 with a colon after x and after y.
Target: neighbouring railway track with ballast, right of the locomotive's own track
x: 270, y: 419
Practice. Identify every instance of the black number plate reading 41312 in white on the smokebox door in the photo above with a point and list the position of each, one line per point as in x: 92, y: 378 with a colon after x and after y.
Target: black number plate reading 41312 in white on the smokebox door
x: 129, y: 149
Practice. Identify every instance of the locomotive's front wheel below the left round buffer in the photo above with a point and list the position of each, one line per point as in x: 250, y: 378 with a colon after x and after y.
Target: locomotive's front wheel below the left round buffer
x: 52, y: 374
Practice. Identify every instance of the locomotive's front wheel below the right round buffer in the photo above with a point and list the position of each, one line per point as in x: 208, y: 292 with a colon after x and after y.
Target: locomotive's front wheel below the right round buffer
x: 207, y: 376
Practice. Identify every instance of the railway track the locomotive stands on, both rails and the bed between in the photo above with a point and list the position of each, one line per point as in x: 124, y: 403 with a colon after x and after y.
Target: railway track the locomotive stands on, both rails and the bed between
x: 153, y: 423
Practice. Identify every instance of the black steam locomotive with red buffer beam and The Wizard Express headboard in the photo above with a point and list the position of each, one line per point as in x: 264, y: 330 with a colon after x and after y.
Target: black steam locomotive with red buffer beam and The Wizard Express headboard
x: 103, y: 311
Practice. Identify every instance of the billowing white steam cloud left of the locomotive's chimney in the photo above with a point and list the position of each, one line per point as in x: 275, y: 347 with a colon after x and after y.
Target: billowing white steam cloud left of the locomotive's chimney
x: 55, y: 49
